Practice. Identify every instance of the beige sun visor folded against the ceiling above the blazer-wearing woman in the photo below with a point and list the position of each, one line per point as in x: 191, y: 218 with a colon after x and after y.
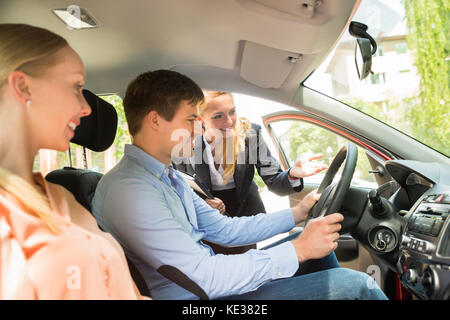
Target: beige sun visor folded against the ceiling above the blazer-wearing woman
x: 267, y: 67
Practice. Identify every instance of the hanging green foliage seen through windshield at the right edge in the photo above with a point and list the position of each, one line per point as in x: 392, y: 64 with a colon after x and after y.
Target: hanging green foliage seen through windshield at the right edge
x: 428, y: 38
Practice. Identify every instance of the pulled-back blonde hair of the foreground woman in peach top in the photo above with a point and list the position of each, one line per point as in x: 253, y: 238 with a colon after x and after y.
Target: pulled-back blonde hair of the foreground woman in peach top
x: 29, y: 49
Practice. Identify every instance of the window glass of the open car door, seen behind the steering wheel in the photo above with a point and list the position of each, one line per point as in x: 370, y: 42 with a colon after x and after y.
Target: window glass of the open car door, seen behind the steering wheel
x: 300, y: 139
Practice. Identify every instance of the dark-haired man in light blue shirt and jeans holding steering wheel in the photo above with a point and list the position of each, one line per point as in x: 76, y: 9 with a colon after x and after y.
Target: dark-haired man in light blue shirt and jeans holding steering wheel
x: 160, y: 222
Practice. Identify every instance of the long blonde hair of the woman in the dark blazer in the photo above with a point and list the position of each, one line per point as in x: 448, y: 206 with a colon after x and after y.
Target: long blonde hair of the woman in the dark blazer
x: 243, y: 125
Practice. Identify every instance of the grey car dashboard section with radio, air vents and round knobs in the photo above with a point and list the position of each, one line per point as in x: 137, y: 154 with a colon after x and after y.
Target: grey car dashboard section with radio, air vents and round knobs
x: 424, y: 247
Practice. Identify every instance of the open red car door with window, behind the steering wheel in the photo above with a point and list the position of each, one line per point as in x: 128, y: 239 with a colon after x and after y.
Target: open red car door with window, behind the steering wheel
x: 297, y: 133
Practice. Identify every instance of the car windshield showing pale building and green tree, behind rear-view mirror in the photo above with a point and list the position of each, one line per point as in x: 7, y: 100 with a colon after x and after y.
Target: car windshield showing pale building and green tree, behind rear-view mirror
x: 409, y: 88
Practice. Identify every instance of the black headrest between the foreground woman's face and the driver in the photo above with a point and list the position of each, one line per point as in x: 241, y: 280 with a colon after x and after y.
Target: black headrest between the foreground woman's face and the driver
x: 98, y: 130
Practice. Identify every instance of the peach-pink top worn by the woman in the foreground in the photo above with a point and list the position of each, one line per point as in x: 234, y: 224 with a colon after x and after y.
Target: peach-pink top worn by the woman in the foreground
x: 74, y: 264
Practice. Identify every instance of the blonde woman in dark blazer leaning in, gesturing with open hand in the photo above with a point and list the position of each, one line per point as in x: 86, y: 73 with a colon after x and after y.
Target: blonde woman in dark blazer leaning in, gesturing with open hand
x: 226, y: 156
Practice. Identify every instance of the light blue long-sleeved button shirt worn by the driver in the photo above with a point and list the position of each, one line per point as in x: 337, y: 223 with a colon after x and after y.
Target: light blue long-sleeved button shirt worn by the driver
x: 161, y: 222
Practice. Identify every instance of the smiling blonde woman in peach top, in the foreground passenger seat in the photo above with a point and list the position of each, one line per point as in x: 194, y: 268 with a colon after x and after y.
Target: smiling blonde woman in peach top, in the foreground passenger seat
x: 50, y: 246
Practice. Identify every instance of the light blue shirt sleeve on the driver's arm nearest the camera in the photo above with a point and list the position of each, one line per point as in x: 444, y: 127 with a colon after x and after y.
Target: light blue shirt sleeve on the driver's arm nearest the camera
x: 138, y: 215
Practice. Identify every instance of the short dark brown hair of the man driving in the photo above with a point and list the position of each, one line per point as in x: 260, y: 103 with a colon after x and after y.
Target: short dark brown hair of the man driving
x: 160, y: 90
